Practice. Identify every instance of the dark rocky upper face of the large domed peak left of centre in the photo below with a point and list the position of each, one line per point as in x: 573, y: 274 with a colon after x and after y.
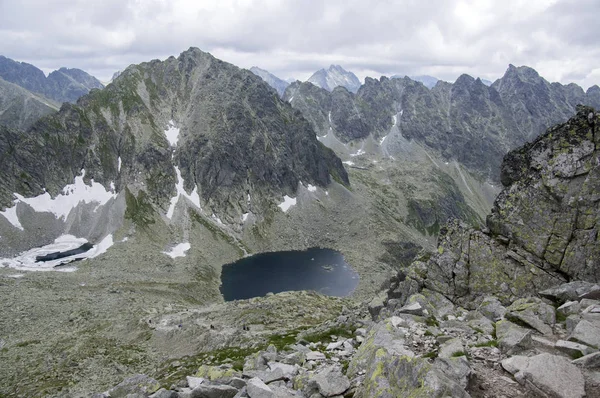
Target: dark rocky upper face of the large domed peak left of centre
x: 238, y: 143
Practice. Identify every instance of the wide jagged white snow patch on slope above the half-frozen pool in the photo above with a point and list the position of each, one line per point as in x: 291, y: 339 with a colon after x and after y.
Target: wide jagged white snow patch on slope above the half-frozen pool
x: 63, y: 203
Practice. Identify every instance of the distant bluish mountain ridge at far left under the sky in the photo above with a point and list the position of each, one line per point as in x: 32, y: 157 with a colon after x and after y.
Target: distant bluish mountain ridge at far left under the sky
x: 63, y: 85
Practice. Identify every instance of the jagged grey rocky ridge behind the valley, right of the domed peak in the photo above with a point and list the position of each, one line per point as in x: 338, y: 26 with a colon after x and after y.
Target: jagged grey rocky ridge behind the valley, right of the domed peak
x: 466, y: 121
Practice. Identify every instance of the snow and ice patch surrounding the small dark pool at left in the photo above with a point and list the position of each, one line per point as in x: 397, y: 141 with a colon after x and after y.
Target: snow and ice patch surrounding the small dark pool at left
x: 26, y: 261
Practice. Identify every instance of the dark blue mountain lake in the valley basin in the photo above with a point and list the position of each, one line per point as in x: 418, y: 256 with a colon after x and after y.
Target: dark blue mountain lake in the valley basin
x: 322, y: 270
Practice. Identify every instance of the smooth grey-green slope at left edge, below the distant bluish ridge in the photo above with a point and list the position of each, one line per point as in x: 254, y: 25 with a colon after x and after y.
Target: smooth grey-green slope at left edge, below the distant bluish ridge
x: 20, y: 108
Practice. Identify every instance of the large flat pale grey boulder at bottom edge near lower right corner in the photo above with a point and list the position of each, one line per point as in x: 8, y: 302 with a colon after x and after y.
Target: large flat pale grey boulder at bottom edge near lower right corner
x: 547, y: 374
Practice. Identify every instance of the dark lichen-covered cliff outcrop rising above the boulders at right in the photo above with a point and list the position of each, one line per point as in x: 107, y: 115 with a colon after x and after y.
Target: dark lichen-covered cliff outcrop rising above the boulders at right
x: 543, y: 228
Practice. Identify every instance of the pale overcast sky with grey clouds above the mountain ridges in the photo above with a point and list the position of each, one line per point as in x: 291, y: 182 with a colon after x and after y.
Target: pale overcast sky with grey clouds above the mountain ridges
x: 293, y: 38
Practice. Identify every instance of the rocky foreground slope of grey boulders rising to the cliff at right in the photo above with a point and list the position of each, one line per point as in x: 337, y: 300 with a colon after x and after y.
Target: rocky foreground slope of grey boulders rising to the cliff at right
x: 485, y: 316
